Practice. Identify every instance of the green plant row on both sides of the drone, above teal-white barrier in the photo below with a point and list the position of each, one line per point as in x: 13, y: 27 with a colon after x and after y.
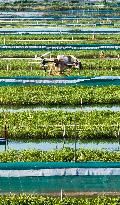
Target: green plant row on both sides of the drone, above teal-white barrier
x: 93, y: 64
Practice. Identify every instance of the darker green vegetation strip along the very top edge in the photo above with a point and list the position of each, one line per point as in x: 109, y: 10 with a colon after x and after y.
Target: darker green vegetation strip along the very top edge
x: 56, y: 5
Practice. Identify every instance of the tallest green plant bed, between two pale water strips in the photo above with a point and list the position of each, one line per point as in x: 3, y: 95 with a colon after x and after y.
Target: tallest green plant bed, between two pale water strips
x: 49, y: 124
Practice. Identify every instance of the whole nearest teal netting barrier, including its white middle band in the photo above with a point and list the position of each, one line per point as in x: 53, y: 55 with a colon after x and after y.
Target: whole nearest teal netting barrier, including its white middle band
x: 52, y: 177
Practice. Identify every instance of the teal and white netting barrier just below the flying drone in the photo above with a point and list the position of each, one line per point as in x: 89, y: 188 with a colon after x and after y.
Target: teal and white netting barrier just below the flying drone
x: 60, y: 81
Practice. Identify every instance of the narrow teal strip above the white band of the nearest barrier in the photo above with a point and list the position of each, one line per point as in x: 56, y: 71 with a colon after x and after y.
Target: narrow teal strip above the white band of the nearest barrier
x: 54, y: 165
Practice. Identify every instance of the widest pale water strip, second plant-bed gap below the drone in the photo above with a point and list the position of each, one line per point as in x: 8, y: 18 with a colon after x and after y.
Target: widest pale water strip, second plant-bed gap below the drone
x: 53, y: 145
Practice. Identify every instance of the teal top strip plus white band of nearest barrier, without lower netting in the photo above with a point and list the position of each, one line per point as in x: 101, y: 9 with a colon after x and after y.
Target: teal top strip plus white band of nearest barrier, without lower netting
x: 22, y: 169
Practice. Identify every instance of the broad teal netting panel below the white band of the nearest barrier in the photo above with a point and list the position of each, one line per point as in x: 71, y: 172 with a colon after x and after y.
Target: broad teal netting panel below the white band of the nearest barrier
x: 55, y: 184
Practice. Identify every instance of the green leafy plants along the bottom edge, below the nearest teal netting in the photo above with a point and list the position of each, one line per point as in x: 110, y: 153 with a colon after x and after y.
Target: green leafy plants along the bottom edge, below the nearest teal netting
x: 43, y: 200
